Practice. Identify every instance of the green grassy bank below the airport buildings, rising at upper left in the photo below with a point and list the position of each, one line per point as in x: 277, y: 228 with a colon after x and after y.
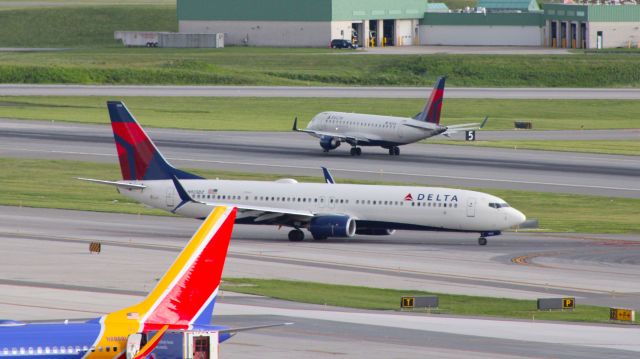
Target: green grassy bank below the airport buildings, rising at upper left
x: 96, y: 58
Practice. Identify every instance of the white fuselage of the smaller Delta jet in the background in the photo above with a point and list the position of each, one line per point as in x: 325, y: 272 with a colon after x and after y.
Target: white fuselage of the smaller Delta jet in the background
x: 378, y: 129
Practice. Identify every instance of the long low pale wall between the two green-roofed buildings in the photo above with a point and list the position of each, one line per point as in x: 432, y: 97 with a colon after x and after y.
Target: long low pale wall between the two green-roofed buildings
x: 481, y: 35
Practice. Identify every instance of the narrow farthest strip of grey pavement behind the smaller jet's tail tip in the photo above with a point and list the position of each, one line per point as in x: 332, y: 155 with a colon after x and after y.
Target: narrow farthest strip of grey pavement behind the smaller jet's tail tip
x: 328, y: 92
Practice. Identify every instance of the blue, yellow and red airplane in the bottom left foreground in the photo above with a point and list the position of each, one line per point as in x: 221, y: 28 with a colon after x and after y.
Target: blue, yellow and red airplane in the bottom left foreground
x: 181, y: 303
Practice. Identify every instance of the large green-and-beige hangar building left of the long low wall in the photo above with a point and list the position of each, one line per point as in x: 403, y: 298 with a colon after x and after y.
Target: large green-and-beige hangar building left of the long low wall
x: 303, y: 22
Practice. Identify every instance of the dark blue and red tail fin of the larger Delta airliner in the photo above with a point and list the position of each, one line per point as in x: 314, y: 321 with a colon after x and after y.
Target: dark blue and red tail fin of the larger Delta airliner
x: 139, y: 157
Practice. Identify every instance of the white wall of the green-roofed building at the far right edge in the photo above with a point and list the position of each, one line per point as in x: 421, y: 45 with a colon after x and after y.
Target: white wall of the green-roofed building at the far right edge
x: 614, y: 34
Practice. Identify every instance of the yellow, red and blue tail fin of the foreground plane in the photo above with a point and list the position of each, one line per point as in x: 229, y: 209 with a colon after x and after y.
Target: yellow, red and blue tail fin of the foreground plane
x: 184, y: 297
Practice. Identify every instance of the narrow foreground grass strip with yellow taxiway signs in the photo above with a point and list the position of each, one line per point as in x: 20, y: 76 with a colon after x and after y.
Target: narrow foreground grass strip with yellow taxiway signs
x: 389, y: 299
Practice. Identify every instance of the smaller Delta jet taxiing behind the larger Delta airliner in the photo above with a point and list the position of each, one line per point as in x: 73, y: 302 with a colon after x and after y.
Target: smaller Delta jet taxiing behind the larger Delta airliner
x: 358, y: 130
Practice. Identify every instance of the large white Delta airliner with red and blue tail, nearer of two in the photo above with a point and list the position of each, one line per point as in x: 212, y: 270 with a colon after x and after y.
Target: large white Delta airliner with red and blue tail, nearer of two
x: 324, y: 209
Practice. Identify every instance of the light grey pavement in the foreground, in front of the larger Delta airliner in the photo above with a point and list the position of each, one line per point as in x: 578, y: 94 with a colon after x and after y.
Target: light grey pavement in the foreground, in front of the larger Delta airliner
x: 47, y: 273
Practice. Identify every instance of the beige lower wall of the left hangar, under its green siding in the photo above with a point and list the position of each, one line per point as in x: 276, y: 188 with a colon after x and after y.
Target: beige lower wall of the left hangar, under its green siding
x: 267, y: 33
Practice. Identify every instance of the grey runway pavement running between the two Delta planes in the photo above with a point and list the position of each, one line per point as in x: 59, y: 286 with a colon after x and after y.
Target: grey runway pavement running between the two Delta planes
x: 299, y: 154
